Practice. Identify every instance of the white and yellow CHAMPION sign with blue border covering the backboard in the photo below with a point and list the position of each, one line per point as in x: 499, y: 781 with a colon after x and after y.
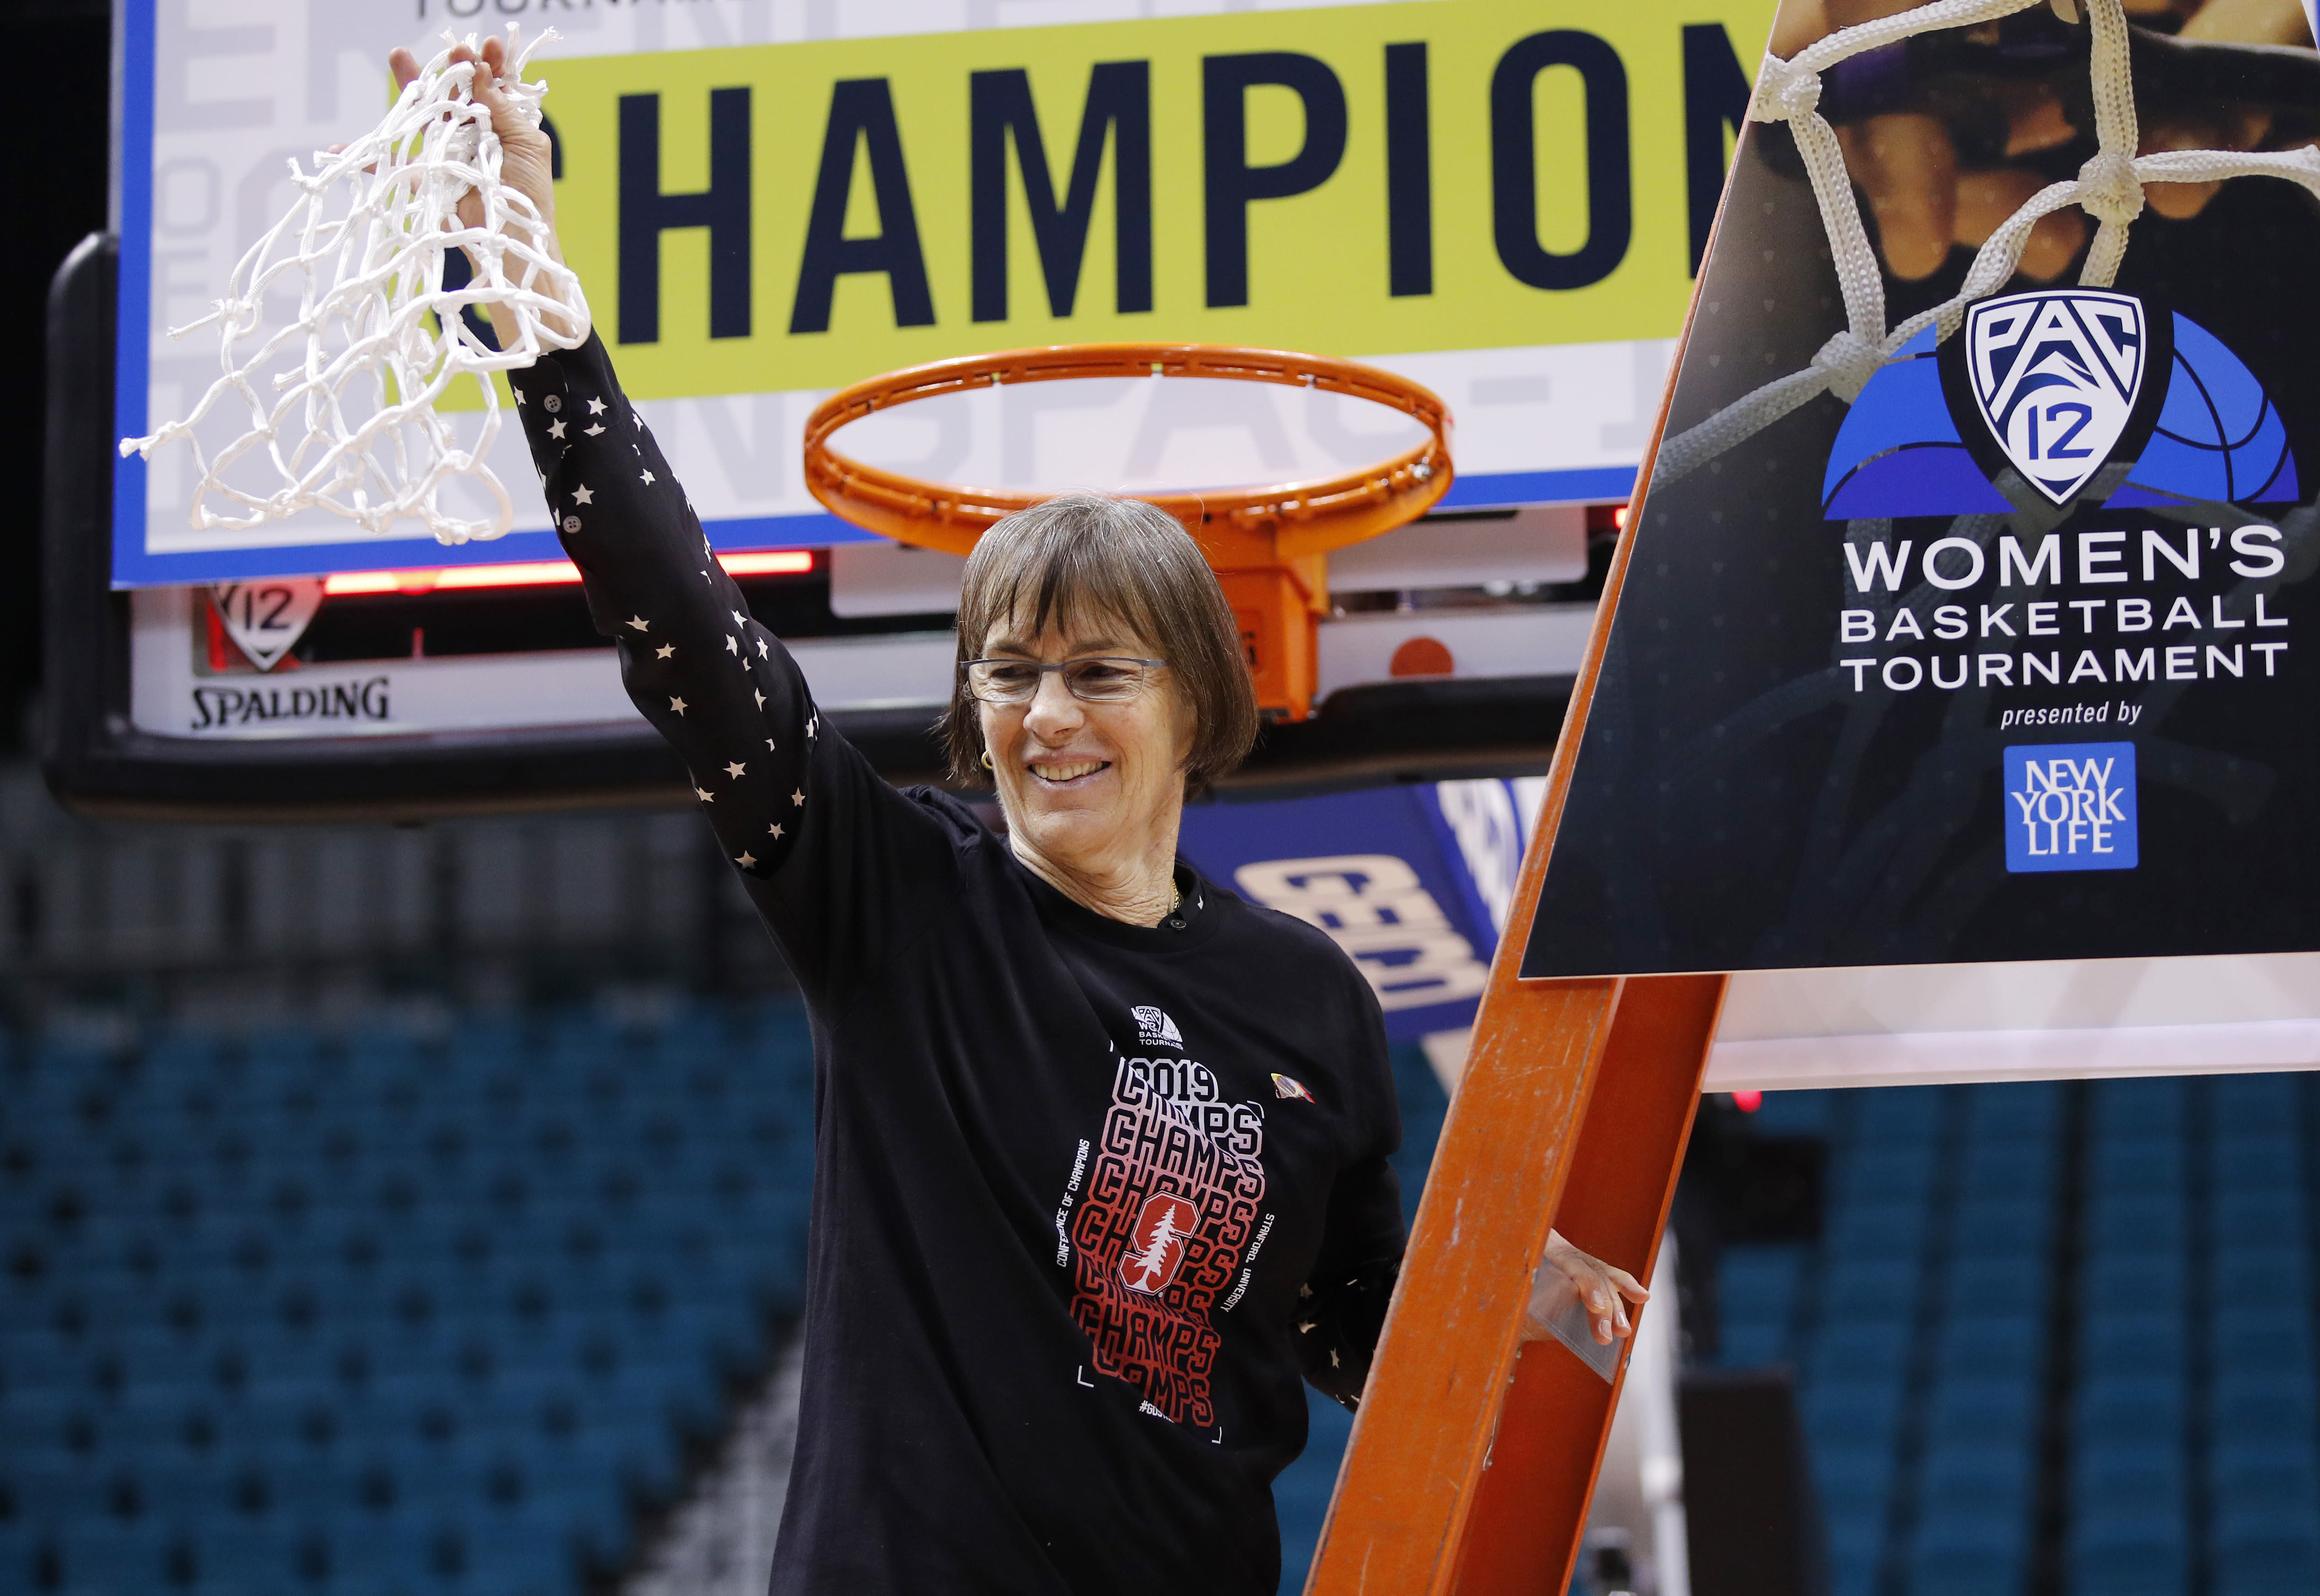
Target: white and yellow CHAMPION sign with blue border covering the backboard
x: 1505, y: 203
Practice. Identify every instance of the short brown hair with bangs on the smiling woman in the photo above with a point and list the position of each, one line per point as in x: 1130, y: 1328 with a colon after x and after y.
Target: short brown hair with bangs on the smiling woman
x: 1089, y: 556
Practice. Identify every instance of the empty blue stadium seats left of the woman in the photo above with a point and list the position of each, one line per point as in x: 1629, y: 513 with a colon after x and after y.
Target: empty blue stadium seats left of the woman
x: 384, y: 1316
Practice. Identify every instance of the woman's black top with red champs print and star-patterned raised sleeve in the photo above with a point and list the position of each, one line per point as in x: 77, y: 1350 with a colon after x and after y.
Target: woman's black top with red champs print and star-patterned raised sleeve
x: 1089, y: 1198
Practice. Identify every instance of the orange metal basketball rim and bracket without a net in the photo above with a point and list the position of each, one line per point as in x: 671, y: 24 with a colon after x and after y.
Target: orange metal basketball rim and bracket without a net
x: 1270, y: 546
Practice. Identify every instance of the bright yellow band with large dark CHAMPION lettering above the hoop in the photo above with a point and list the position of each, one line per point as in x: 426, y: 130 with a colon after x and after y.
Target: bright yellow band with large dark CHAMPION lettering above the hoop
x: 1351, y: 182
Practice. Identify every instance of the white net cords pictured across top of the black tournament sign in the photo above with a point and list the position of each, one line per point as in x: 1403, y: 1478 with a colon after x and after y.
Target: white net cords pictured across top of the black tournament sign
x: 2110, y: 187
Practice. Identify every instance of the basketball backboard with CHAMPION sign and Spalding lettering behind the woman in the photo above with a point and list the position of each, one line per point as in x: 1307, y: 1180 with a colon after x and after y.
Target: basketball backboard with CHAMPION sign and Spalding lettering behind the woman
x: 776, y: 201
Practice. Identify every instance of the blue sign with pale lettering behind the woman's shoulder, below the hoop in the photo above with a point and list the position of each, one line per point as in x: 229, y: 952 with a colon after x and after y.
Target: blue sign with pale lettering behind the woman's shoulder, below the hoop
x: 1409, y: 880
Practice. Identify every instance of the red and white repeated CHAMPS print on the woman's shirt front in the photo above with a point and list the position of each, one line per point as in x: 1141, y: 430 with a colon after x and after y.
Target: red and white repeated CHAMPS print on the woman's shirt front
x: 1170, y: 1205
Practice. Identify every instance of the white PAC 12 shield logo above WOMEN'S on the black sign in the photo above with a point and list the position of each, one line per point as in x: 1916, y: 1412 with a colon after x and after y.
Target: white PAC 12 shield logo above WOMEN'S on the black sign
x: 2057, y: 377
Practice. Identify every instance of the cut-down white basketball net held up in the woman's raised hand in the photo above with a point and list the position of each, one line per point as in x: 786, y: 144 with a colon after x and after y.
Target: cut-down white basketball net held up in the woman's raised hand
x: 340, y: 402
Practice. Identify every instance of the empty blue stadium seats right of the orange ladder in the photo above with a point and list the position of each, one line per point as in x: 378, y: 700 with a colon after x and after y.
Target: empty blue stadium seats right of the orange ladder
x: 2152, y: 1432
